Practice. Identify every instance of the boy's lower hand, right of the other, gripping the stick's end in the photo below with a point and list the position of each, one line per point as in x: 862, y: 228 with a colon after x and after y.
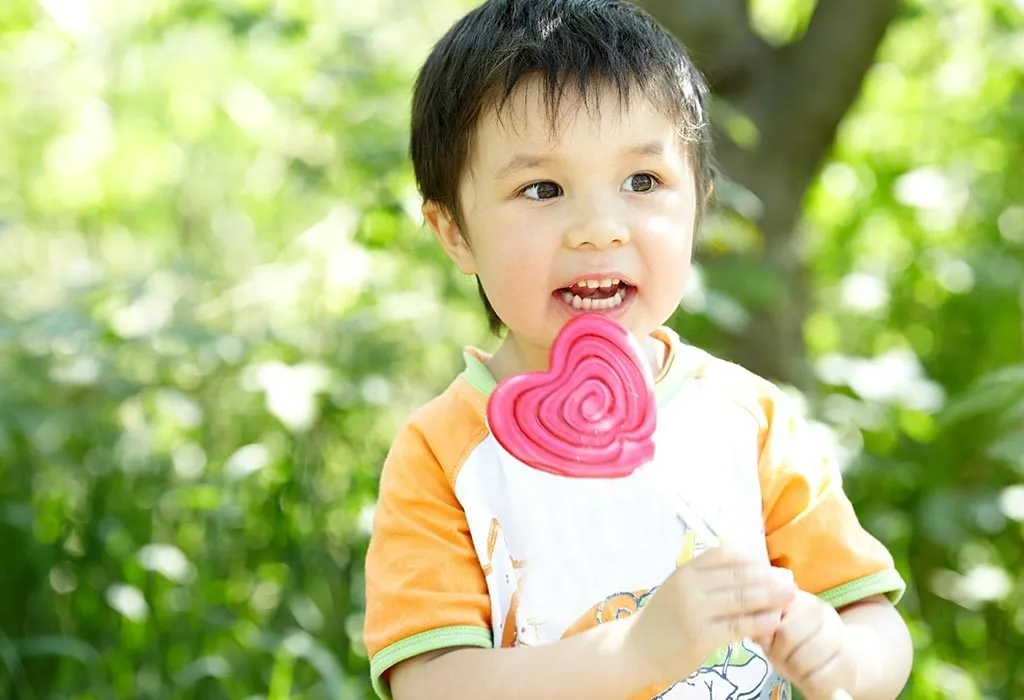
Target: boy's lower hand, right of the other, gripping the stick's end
x: 809, y: 648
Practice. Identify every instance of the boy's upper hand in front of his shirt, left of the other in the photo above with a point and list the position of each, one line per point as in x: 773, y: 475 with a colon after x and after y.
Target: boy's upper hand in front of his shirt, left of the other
x: 720, y: 597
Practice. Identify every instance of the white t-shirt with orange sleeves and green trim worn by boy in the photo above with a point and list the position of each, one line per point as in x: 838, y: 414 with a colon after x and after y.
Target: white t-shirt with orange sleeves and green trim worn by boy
x: 472, y: 548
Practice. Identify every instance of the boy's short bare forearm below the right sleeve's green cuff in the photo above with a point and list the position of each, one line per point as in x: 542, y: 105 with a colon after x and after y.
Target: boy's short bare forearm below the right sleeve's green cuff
x: 881, y: 647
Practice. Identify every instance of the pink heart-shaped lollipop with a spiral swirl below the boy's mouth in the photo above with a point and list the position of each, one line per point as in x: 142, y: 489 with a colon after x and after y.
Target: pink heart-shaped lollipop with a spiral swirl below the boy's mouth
x: 592, y: 415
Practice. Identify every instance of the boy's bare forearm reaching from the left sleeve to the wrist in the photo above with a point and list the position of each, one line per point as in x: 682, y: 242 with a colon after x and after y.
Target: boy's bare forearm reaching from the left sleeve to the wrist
x: 595, y: 665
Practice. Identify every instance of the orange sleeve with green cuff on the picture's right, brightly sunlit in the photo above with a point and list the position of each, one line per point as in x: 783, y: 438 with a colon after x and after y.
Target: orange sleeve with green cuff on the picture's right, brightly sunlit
x: 810, y: 526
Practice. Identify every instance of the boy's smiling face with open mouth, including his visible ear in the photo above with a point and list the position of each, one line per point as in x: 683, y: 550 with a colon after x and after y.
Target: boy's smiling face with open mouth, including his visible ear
x: 607, y: 202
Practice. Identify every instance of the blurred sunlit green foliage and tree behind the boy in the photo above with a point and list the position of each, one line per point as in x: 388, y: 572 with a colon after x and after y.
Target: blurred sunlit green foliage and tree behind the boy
x: 219, y: 302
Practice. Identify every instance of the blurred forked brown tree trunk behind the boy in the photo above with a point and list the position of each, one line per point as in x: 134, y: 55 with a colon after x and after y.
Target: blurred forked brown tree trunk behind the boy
x: 796, y: 97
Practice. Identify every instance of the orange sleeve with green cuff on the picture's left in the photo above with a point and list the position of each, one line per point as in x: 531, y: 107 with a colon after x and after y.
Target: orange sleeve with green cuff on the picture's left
x: 425, y: 587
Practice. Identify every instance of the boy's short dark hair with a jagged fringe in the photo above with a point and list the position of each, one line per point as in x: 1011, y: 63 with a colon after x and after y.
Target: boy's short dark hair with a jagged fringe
x: 581, y: 45
